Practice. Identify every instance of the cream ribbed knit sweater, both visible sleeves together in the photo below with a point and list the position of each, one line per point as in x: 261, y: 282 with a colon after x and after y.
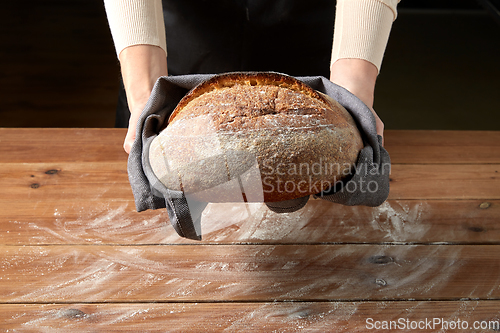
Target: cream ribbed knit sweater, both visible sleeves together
x: 361, y: 31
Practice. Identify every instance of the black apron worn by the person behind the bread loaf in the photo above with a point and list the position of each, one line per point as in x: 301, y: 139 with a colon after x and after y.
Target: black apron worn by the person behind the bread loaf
x: 215, y: 36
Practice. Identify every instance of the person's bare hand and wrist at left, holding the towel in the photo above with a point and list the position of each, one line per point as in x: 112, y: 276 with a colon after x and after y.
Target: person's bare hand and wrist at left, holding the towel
x: 141, y: 66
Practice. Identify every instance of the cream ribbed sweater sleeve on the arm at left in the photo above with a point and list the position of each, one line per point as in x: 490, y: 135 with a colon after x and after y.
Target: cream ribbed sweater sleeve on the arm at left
x: 134, y: 22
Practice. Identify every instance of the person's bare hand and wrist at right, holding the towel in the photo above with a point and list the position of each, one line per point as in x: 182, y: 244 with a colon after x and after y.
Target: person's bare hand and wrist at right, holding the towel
x: 358, y: 76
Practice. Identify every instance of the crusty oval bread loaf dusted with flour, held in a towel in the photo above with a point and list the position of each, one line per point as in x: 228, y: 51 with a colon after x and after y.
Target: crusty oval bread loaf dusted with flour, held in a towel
x: 255, y: 137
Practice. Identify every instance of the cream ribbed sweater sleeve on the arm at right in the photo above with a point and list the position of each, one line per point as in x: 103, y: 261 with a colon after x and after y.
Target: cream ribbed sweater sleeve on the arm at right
x: 362, y: 29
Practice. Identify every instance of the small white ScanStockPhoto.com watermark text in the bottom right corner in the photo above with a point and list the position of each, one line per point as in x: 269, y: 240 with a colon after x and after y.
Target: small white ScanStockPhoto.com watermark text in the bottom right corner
x: 434, y: 324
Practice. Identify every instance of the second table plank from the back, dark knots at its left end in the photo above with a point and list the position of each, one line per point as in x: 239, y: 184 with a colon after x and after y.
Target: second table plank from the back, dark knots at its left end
x: 94, y: 180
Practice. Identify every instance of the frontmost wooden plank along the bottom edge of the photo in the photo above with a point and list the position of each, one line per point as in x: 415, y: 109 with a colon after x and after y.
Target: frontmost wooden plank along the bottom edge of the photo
x: 254, y: 317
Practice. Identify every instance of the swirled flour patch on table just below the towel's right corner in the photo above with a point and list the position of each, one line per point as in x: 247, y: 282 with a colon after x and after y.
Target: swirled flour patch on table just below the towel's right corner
x: 402, y: 221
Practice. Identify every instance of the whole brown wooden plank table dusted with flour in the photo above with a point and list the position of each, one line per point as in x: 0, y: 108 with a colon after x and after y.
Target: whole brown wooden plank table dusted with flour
x: 76, y: 255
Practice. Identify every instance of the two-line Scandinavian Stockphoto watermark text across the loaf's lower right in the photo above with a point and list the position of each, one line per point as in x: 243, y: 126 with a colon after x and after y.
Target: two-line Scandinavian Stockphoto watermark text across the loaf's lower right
x: 315, y: 176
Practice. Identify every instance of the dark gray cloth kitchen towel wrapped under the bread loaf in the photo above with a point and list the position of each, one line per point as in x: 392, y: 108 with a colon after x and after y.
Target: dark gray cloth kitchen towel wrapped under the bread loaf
x: 369, y: 185
